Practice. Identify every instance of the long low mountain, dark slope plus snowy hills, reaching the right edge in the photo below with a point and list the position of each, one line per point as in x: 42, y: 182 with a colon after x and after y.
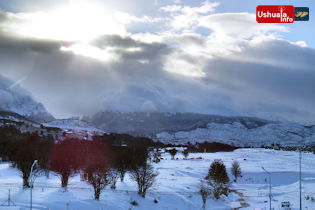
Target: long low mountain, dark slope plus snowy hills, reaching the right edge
x: 180, y: 128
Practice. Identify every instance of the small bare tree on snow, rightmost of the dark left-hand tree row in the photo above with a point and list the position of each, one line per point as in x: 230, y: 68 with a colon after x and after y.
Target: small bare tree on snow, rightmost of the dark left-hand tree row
x: 145, y: 176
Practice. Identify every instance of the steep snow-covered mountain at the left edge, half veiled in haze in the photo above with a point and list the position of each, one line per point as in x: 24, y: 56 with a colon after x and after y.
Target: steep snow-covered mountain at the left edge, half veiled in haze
x: 18, y: 100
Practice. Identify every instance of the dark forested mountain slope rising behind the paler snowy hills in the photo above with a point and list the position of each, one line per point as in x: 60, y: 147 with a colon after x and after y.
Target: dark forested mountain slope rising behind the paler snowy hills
x: 149, y: 124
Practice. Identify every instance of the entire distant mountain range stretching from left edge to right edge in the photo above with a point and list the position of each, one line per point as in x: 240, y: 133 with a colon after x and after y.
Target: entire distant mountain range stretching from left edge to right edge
x: 17, y: 105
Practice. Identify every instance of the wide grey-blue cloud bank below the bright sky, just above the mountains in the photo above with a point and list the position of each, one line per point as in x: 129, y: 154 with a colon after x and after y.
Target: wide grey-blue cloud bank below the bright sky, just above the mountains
x: 267, y: 78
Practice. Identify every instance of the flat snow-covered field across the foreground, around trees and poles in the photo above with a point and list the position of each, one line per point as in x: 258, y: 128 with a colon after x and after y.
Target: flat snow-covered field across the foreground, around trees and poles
x: 177, y: 184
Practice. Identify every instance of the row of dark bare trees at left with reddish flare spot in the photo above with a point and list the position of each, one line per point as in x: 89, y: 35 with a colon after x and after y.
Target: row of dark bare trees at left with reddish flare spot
x: 100, y: 162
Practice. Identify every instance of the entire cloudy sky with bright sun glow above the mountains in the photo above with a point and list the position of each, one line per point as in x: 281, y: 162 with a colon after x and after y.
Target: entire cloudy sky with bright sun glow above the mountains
x: 78, y: 57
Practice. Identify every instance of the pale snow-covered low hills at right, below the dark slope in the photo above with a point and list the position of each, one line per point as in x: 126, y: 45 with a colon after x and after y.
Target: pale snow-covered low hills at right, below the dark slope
x: 284, y: 133
